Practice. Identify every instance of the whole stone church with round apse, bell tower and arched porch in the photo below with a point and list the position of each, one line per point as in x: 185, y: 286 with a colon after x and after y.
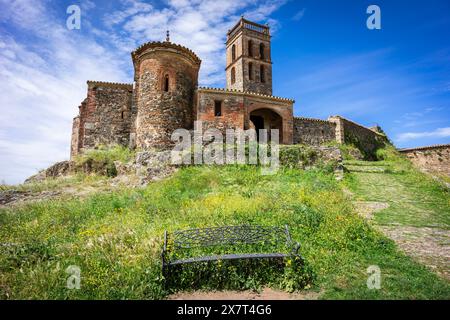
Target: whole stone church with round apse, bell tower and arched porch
x: 165, y: 96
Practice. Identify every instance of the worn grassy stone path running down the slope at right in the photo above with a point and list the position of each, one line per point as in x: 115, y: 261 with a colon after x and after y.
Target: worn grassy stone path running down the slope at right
x: 407, y: 215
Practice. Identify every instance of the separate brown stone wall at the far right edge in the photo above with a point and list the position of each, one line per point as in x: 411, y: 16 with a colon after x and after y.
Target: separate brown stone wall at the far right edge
x: 430, y: 159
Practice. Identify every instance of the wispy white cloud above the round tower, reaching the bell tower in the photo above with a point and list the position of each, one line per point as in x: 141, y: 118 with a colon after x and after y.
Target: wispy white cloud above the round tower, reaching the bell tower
x: 200, y: 25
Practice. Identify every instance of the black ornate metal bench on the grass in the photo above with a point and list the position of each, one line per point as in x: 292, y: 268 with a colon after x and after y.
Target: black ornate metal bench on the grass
x: 226, y: 236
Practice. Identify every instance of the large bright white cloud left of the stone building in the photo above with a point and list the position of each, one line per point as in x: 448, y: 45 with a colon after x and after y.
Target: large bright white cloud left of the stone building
x: 45, y: 81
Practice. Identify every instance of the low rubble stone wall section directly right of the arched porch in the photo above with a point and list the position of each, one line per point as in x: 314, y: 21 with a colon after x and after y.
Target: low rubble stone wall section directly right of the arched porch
x: 313, y: 131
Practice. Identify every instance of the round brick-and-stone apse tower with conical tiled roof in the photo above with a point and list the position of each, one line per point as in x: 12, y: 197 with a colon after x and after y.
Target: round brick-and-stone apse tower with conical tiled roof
x: 166, y: 76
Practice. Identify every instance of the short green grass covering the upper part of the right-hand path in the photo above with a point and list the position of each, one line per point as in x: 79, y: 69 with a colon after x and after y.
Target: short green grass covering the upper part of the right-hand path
x: 414, y: 198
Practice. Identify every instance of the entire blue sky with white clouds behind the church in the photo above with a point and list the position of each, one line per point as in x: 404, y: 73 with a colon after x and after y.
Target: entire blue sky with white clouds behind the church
x: 324, y: 57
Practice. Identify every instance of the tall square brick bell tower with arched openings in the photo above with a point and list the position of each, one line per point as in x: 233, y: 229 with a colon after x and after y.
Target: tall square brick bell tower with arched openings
x: 249, y: 66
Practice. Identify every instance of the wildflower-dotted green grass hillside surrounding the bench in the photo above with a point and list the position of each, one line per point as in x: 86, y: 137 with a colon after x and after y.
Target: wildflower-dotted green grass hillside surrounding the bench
x: 115, y: 238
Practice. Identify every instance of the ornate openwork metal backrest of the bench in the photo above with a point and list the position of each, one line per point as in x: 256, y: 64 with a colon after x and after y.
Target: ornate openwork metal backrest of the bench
x: 229, y: 235
